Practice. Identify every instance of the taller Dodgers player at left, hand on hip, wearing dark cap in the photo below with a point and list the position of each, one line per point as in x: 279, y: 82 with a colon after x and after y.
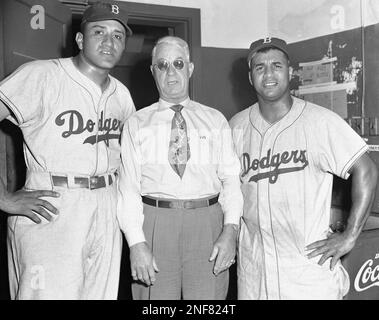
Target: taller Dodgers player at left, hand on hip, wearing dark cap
x: 64, y: 241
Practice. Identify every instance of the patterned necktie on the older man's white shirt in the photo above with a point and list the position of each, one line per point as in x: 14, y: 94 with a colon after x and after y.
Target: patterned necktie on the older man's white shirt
x: 178, y: 150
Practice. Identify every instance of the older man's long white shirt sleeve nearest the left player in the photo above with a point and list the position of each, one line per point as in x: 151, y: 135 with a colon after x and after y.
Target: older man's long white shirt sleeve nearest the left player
x: 129, y: 204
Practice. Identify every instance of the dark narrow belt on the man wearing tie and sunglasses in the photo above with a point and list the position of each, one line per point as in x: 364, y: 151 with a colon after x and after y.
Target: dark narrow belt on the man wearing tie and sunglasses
x: 180, y: 204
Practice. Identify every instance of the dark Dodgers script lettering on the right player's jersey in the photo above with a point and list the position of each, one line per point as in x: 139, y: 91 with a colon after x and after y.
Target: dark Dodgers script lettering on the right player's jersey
x: 273, y: 161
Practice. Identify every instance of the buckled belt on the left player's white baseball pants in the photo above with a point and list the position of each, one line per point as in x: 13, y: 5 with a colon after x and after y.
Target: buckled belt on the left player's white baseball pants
x: 94, y: 182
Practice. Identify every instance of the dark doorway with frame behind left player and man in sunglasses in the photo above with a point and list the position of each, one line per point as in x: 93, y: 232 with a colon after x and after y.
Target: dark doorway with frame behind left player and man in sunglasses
x: 148, y: 23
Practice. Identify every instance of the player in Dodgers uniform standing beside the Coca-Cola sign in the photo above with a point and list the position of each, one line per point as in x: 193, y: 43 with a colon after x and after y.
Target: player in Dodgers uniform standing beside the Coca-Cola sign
x: 289, y: 149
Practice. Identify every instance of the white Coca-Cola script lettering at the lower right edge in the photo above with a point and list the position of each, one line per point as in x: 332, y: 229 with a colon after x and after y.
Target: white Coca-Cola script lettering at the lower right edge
x: 367, y: 276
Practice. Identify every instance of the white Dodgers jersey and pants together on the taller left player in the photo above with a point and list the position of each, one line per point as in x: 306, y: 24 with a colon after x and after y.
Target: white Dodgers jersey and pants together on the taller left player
x: 71, y: 128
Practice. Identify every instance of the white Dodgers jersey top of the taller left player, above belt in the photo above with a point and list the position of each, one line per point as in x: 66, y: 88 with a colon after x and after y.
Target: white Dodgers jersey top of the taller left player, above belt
x: 69, y: 124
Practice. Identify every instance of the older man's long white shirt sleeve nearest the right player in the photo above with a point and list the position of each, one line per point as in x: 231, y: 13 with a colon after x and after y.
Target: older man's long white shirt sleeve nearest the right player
x: 228, y: 171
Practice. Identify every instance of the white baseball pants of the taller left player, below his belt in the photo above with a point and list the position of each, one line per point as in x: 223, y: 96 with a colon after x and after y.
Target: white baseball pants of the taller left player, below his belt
x: 76, y: 255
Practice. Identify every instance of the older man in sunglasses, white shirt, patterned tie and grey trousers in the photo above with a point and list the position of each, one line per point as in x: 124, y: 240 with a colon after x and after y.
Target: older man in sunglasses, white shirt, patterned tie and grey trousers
x: 177, y: 156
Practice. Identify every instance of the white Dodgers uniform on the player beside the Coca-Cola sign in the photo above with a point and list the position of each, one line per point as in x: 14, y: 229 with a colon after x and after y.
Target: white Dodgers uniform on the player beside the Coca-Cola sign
x: 287, y: 182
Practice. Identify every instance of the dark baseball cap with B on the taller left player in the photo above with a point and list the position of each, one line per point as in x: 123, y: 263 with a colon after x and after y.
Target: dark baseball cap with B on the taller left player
x: 100, y: 11
